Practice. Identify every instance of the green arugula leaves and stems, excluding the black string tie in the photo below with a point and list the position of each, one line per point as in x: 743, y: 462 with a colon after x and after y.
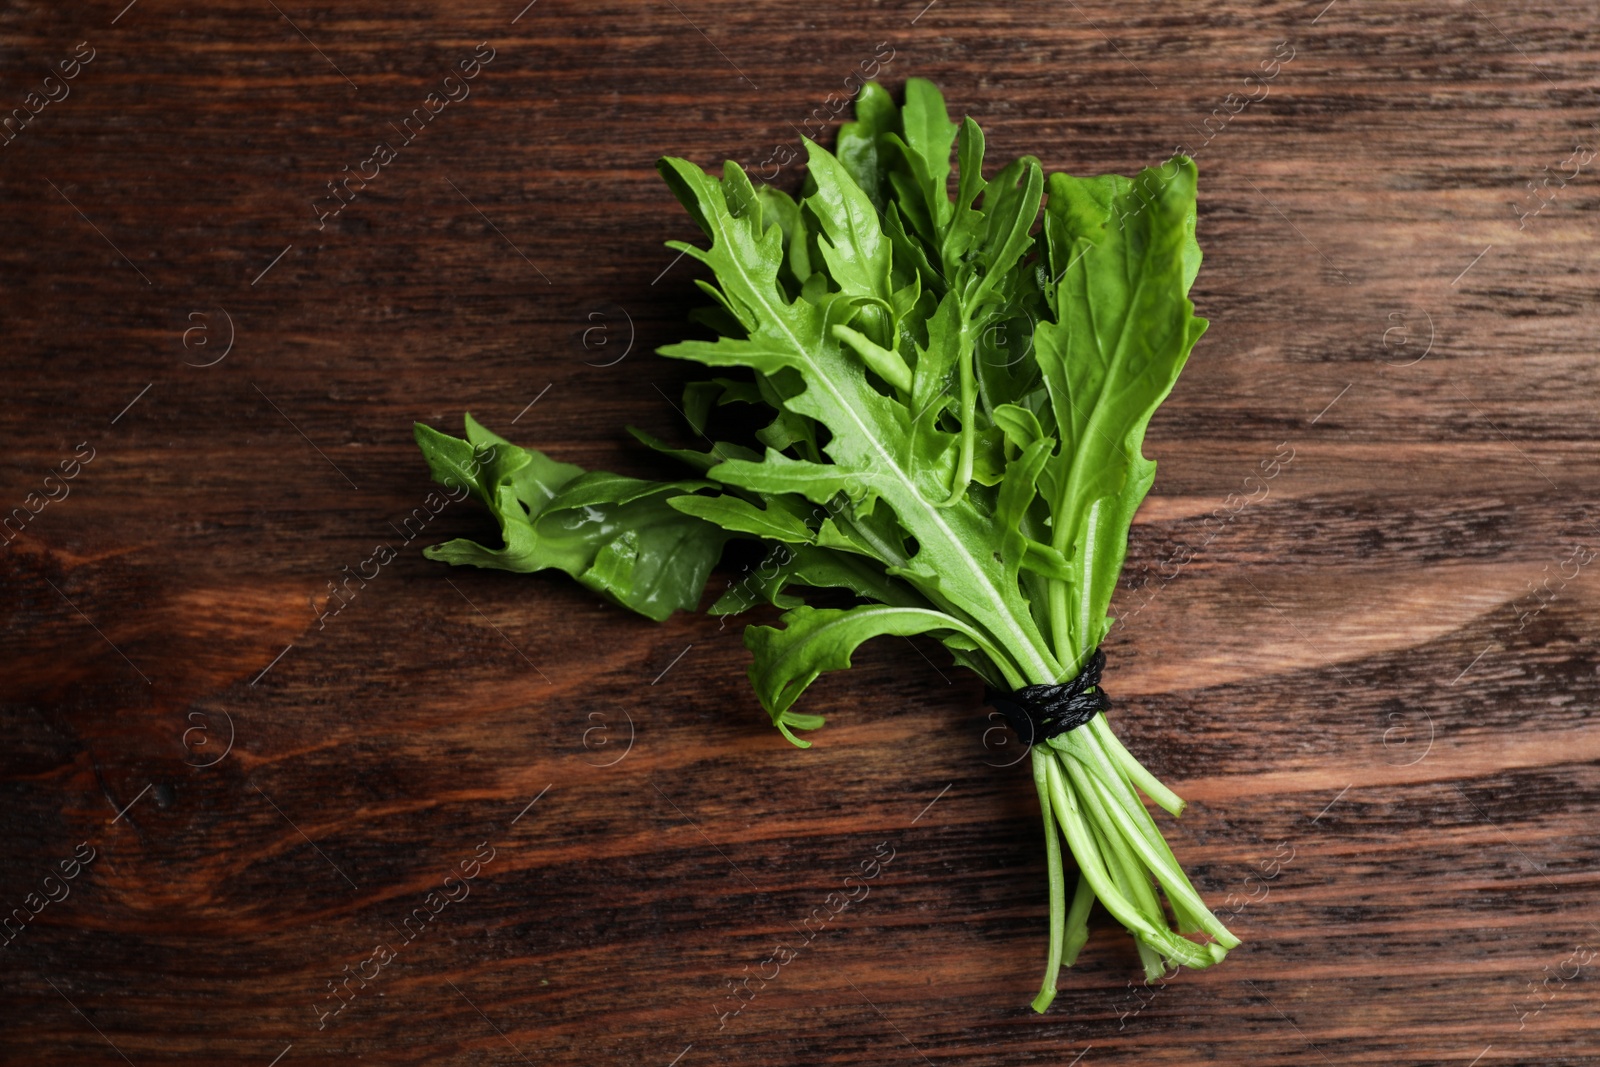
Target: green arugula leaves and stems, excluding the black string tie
x: 958, y: 396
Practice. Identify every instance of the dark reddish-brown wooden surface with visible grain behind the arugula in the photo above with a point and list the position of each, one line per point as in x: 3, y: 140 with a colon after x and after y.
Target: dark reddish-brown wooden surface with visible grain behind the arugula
x: 1383, y: 669
